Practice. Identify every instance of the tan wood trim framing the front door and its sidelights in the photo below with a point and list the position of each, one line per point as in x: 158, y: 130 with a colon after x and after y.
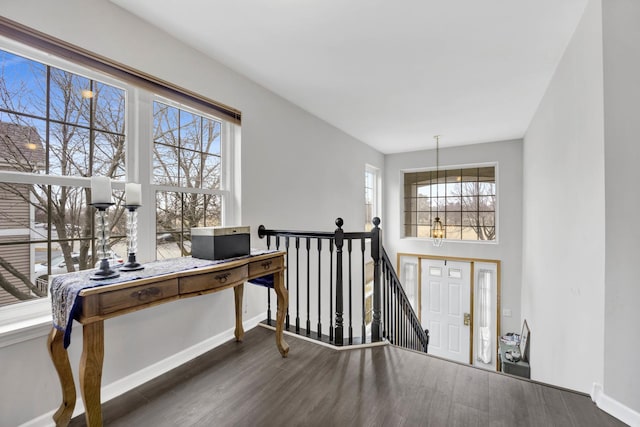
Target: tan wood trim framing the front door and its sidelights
x: 473, y: 261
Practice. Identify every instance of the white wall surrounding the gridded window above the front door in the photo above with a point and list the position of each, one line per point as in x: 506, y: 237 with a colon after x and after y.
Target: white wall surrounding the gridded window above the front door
x: 508, y: 156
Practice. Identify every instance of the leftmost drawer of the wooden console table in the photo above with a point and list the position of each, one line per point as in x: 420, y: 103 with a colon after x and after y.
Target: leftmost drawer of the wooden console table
x: 117, y: 300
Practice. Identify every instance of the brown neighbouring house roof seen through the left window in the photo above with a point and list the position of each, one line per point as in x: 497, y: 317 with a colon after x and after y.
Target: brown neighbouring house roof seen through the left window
x: 21, y: 146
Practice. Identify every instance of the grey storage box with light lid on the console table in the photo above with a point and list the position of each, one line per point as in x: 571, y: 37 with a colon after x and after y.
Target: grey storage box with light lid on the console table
x: 220, y: 242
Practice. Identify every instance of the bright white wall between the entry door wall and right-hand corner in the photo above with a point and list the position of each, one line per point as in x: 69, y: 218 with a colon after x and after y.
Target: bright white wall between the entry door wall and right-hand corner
x: 563, y: 227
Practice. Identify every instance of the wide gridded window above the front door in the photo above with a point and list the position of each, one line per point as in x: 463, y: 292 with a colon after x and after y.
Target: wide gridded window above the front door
x: 464, y: 199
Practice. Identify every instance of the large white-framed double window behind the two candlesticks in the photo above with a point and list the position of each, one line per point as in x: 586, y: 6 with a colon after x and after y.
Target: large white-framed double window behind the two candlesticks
x: 60, y: 124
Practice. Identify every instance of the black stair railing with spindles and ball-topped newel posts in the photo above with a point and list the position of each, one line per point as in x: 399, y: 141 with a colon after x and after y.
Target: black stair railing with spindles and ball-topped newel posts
x: 384, y: 311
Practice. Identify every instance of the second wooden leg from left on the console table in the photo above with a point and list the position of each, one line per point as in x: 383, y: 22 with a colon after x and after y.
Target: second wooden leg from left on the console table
x: 91, y: 371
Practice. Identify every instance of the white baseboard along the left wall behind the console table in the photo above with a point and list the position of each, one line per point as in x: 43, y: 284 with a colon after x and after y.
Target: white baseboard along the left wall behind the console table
x: 138, y: 378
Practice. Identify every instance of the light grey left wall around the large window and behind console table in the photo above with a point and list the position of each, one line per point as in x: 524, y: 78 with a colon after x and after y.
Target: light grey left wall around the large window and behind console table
x: 297, y: 172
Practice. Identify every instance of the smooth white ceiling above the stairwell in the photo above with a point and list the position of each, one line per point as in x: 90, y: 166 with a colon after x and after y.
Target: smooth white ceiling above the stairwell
x: 391, y: 74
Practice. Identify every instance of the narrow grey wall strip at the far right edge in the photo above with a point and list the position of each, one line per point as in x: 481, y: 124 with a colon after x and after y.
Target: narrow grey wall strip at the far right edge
x: 622, y: 158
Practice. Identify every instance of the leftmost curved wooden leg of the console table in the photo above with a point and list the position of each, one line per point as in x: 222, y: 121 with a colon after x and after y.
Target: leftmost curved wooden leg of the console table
x: 60, y: 360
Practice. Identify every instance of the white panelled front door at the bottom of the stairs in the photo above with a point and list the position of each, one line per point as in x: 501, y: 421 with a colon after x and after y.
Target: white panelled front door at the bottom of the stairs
x: 446, y: 307
